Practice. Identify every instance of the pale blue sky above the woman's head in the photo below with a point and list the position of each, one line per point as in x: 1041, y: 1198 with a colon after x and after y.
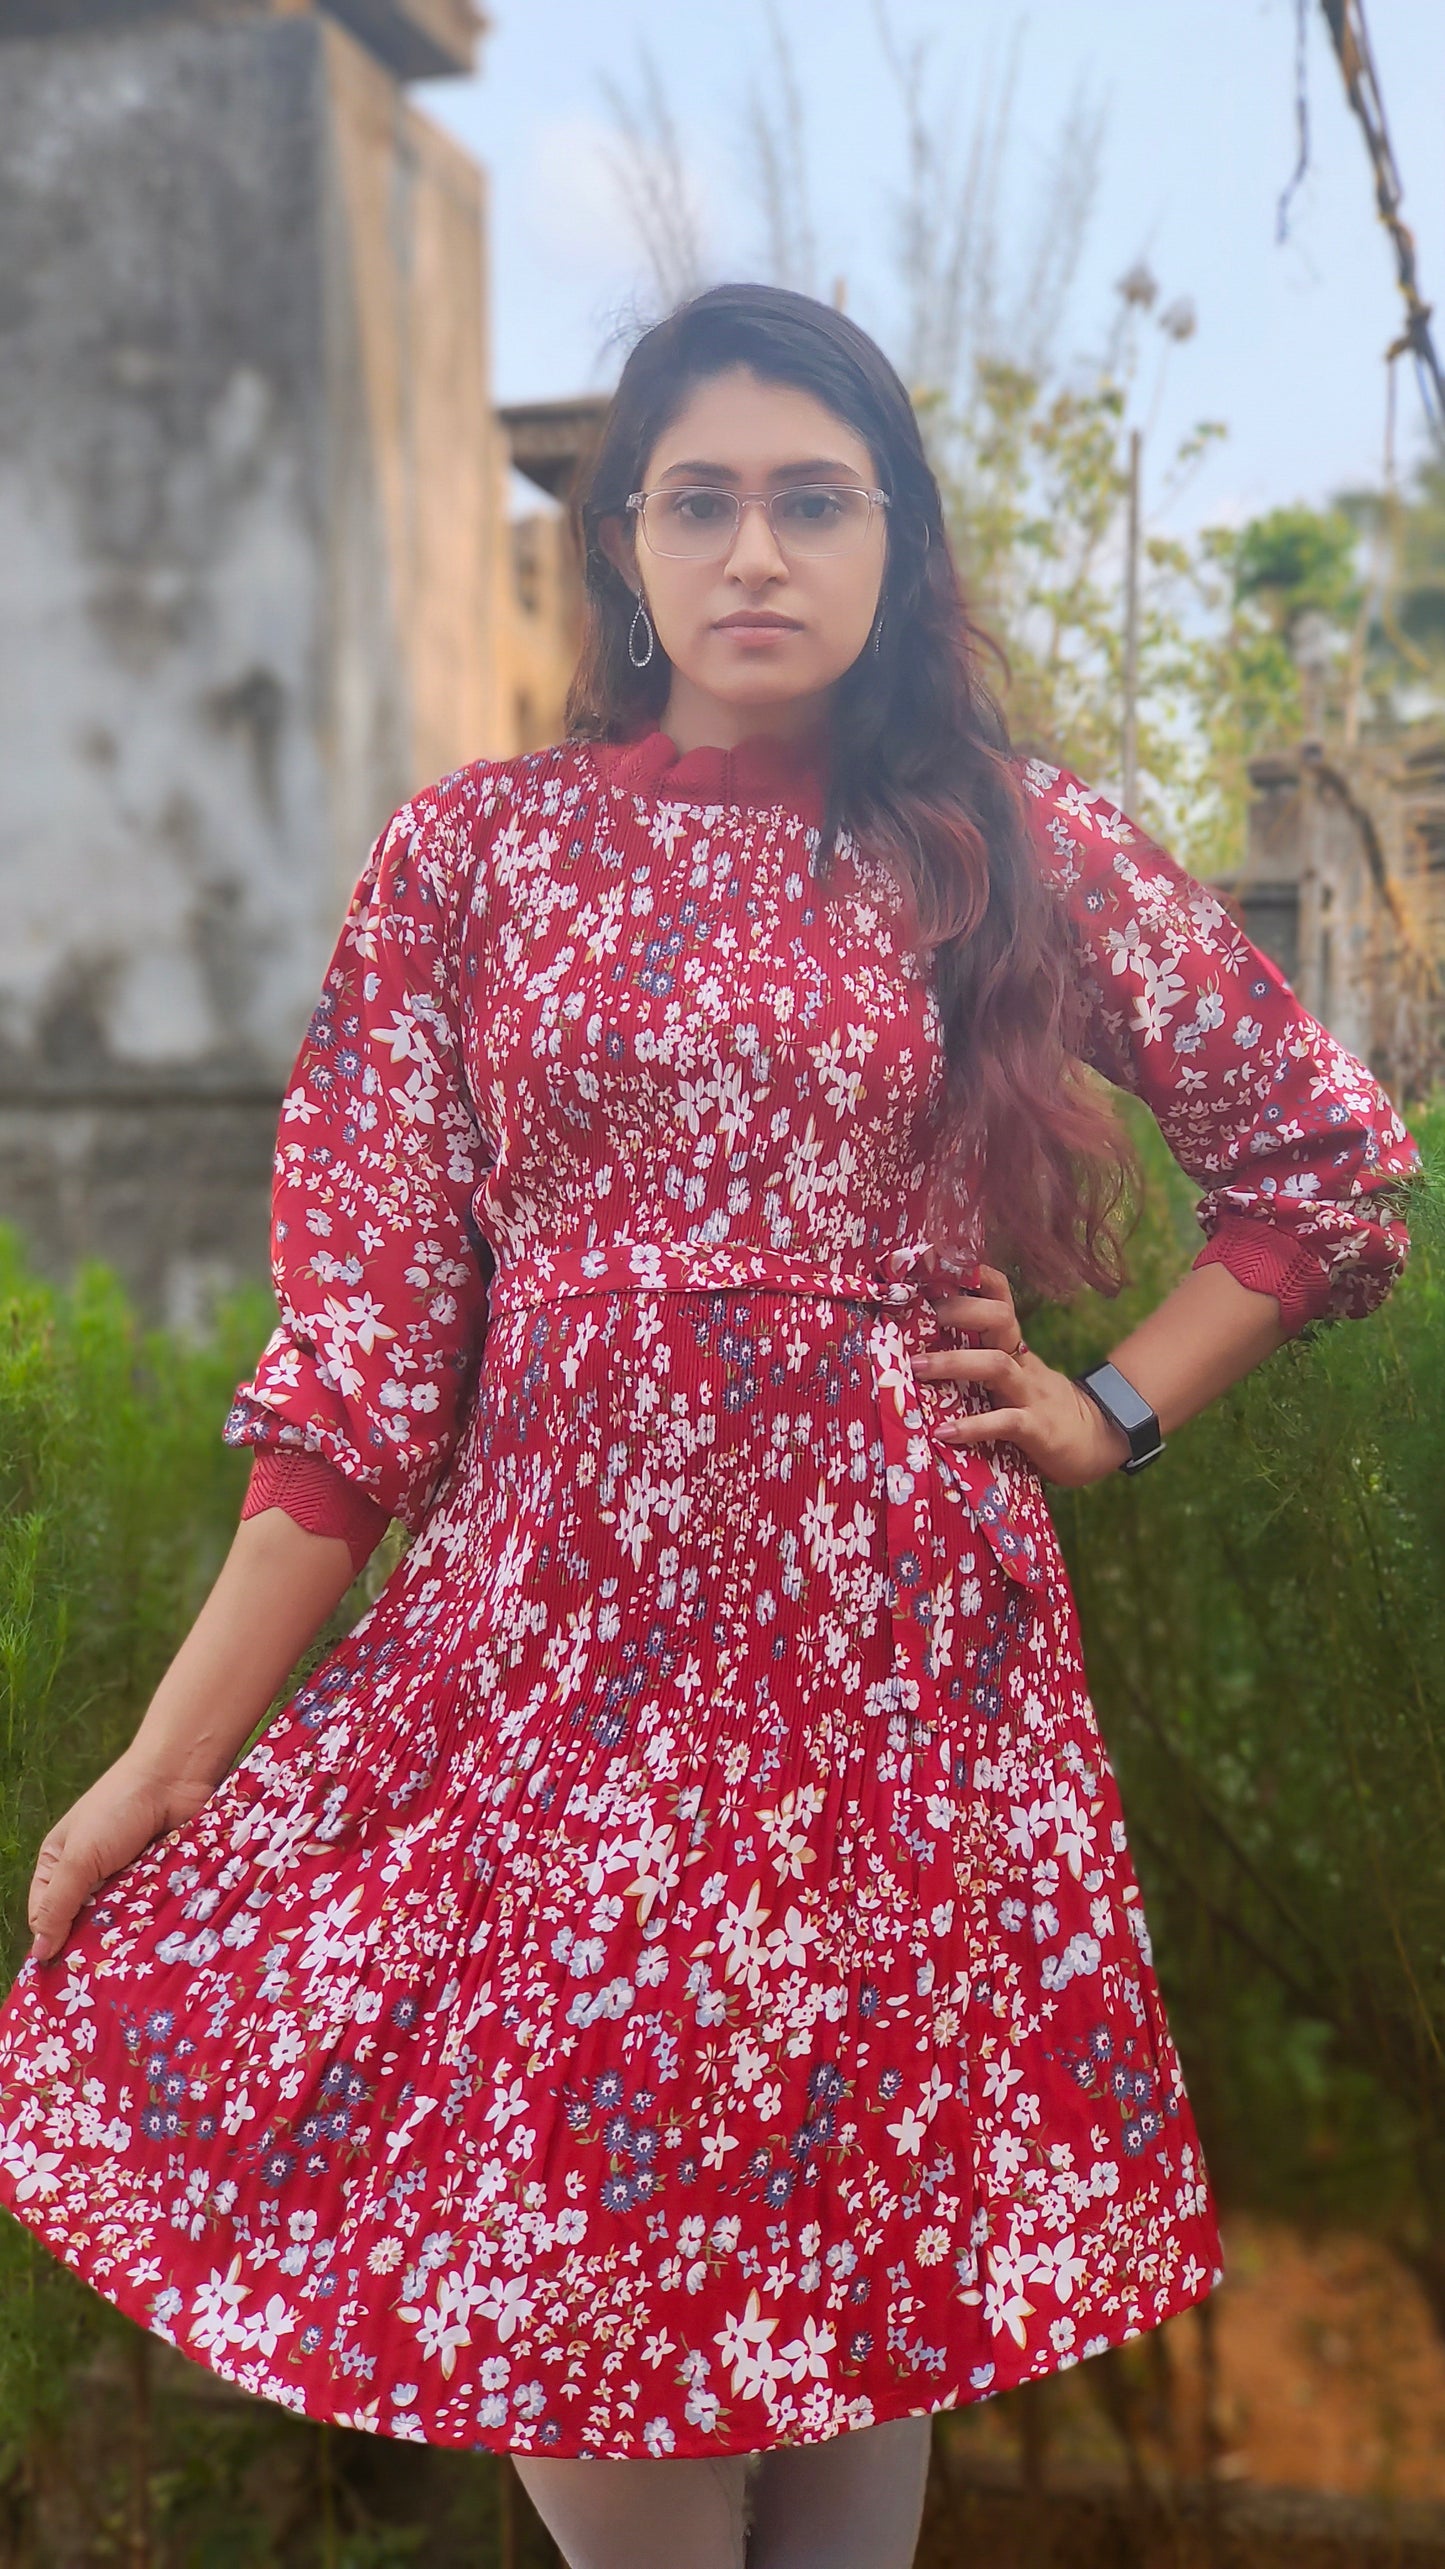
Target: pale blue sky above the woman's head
x: 1199, y: 140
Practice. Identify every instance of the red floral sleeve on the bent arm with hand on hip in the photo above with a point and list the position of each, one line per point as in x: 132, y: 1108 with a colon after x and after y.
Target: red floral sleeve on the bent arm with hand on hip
x: 1297, y: 1147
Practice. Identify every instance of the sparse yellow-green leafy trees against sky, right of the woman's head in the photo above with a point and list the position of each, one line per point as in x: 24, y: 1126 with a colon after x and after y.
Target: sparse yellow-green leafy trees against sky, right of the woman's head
x: 1035, y: 489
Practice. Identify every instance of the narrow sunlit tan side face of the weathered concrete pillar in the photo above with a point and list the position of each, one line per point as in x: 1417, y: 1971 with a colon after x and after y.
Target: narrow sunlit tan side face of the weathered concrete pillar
x: 418, y: 536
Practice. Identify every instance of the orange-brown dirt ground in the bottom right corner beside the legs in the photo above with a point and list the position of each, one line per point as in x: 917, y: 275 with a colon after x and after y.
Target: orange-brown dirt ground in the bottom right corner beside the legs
x: 1297, y: 2419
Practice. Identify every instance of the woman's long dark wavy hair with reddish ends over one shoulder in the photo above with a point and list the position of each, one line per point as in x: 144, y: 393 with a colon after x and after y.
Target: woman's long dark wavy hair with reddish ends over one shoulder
x: 1032, y: 1162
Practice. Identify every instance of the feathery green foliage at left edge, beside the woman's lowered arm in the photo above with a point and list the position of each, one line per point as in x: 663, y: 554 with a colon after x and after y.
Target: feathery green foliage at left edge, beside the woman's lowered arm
x: 117, y: 1504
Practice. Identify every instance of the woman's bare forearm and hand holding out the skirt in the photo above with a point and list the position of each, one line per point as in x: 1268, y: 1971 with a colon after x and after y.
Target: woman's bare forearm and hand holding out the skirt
x: 276, y: 1591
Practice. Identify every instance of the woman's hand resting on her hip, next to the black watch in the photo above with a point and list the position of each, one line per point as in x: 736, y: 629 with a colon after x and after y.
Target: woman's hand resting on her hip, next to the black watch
x: 1037, y: 1409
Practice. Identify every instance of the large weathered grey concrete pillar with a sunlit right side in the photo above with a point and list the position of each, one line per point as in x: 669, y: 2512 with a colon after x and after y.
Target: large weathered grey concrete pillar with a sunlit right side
x: 251, y: 546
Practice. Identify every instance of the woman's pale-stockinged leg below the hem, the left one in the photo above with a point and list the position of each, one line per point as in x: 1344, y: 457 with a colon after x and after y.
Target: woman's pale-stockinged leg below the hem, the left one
x: 642, y: 2514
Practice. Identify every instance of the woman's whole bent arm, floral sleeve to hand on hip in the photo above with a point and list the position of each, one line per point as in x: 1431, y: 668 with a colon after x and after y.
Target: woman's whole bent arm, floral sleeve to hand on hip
x: 1295, y: 1142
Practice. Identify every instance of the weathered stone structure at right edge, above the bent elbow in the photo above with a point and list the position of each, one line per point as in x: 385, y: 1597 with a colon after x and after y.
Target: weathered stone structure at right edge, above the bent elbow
x: 1343, y: 885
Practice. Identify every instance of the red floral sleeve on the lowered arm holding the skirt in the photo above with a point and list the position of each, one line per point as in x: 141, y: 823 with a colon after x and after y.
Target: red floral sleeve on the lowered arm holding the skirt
x: 377, y: 1263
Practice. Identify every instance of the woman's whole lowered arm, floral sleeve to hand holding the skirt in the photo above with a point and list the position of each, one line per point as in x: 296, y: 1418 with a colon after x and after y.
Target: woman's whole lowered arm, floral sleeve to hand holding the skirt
x: 382, y: 1296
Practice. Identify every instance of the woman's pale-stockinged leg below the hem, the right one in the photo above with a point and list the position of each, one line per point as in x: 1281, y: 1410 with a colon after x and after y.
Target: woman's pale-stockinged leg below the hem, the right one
x: 850, y: 2503
